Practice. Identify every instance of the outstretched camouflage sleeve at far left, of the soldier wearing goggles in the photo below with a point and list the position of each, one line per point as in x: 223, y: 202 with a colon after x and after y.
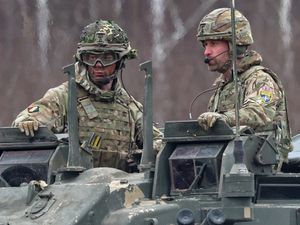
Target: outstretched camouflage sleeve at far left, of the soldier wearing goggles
x: 49, y: 111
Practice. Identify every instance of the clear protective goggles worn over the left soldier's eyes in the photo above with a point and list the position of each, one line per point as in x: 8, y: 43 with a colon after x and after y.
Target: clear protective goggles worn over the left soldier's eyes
x: 106, y: 58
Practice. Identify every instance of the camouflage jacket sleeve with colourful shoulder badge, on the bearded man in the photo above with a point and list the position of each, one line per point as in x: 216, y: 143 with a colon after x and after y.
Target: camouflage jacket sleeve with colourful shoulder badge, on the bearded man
x: 261, y: 95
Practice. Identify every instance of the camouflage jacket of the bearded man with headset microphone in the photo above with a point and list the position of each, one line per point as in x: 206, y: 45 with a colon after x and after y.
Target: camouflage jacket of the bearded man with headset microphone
x: 262, y: 99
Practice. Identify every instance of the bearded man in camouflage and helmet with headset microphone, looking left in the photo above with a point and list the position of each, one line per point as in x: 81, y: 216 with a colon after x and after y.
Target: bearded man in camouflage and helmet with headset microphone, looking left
x: 263, y: 104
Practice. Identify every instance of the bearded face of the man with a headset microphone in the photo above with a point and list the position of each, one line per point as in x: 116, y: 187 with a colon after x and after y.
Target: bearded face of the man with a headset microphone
x: 218, y: 54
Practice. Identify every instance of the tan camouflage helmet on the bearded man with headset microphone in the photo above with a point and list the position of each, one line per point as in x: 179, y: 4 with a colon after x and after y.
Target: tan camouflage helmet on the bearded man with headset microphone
x: 217, y: 26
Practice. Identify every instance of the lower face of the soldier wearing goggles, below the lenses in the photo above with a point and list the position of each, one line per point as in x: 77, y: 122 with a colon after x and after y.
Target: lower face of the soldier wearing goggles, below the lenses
x: 98, y: 72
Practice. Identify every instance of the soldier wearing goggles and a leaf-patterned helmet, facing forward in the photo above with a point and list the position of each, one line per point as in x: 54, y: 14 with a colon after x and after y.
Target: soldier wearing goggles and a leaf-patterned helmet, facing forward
x: 105, y: 109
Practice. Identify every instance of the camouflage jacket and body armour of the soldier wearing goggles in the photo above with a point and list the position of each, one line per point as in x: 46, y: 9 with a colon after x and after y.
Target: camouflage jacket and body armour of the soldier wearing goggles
x: 114, y: 117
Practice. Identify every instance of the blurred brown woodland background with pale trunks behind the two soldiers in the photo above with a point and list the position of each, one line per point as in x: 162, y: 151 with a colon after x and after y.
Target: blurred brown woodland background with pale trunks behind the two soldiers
x: 39, y: 37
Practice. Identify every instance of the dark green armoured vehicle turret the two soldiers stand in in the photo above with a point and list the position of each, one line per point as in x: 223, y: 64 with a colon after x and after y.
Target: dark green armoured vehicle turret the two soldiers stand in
x: 199, y: 177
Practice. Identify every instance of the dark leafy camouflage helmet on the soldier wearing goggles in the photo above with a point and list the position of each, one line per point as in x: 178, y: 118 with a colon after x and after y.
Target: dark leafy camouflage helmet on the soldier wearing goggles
x: 105, y: 35
